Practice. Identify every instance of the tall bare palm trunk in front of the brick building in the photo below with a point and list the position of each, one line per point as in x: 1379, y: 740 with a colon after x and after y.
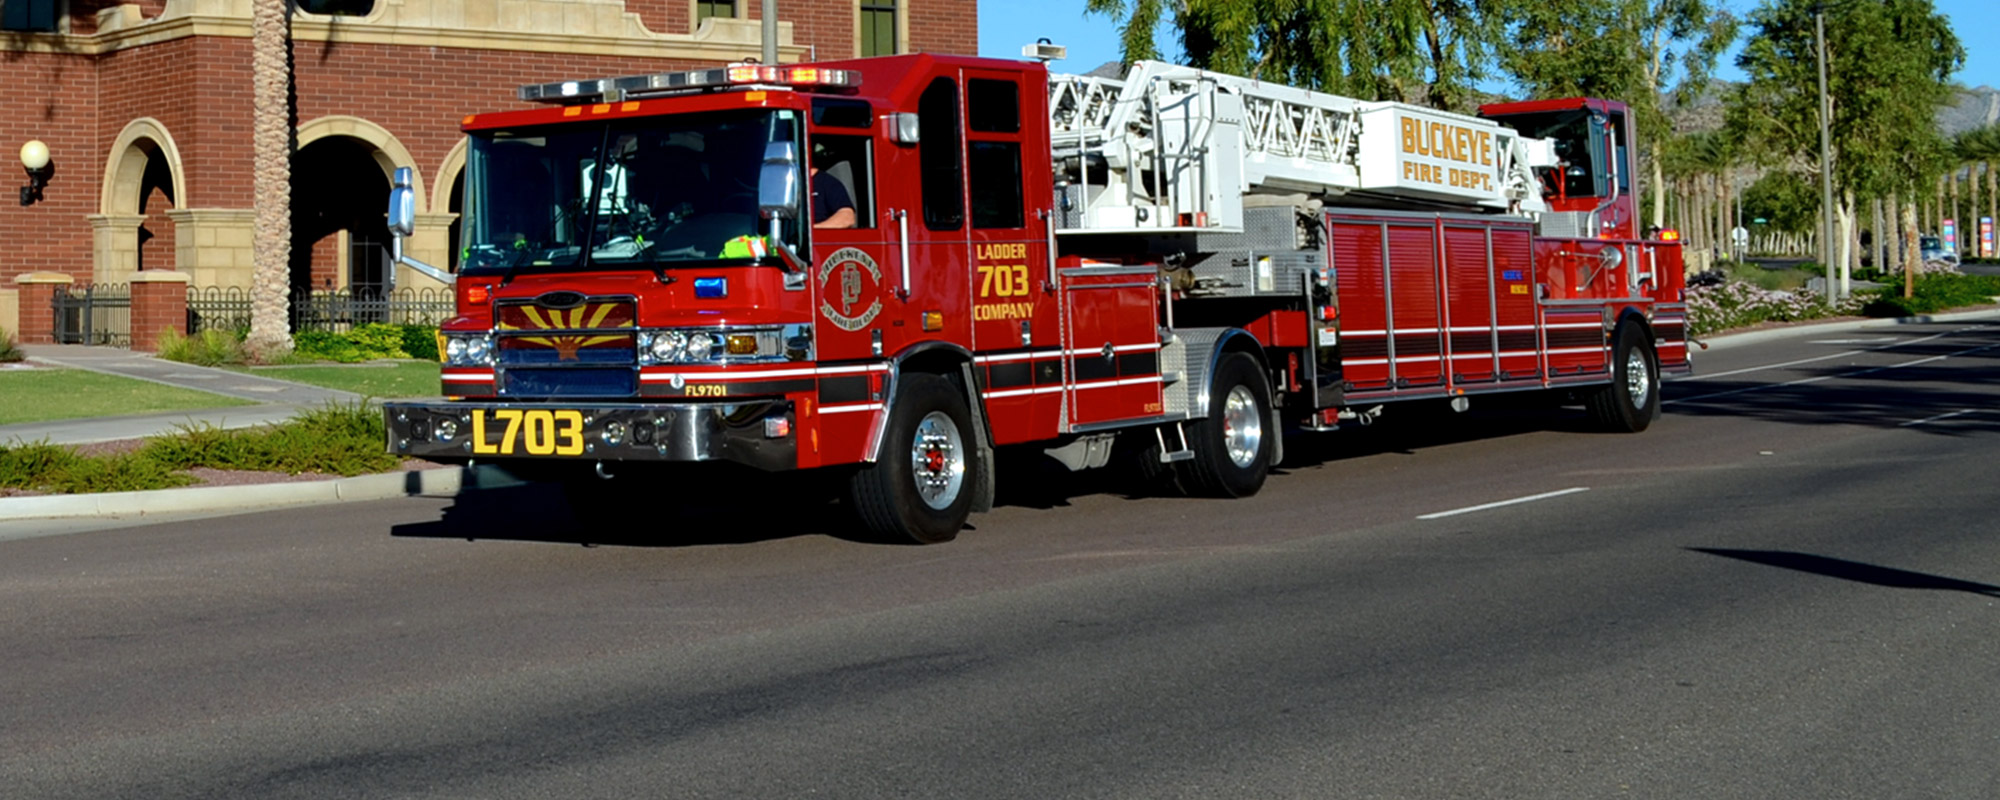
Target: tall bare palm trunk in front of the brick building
x: 271, y: 283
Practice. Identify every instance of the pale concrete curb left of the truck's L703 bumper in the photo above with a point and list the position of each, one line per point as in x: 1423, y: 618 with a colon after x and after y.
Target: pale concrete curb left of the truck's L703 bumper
x: 213, y: 499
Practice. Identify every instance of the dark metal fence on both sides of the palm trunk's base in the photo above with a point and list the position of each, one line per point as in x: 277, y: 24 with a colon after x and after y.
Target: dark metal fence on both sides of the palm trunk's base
x: 229, y: 309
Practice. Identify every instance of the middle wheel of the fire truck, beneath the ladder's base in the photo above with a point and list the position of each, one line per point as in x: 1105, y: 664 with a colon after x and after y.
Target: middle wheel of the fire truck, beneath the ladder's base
x: 1233, y: 445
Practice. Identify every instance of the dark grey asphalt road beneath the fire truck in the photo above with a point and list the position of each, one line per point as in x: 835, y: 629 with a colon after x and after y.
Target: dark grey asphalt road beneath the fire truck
x: 1785, y: 589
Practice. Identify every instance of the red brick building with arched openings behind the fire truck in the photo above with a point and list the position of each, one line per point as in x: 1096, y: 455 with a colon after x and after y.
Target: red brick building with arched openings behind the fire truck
x: 147, y: 113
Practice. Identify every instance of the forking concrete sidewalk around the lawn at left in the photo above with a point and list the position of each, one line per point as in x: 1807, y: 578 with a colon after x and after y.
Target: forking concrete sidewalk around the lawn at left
x: 277, y: 401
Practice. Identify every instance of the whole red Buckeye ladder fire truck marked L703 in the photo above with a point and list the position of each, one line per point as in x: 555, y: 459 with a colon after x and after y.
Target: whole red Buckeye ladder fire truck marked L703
x: 893, y: 267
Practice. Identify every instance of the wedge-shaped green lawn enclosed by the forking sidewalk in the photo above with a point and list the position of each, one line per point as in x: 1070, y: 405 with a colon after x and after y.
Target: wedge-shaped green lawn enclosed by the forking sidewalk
x: 69, y: 395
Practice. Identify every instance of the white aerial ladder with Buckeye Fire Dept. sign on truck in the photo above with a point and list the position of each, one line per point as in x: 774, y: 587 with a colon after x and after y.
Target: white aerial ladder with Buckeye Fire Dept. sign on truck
x: 1173, y: 149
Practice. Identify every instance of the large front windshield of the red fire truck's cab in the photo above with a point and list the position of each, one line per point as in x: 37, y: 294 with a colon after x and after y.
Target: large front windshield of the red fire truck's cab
x: 653, y: 193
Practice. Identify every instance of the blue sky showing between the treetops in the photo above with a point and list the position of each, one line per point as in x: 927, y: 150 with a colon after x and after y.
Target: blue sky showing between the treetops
x: 1007, y: 25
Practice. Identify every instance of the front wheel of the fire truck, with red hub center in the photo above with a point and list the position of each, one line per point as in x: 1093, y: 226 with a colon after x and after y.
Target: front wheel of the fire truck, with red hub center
x: 921, y: 489
